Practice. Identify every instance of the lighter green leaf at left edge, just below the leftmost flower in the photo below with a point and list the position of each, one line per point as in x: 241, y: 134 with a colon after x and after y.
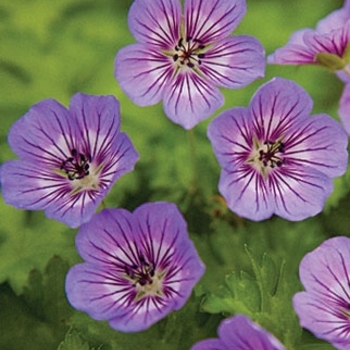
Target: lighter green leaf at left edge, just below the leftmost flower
x: 27, y: 241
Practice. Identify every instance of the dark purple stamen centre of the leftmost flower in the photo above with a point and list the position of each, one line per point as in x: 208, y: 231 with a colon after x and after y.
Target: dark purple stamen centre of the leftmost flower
x: 77, y: 166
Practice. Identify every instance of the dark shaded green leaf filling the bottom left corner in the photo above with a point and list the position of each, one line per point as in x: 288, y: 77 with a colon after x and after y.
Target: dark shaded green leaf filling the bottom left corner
x: 36, y: 319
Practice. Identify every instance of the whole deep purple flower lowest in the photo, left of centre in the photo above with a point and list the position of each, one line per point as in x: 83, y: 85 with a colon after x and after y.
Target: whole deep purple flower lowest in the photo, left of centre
x: 139, y: 266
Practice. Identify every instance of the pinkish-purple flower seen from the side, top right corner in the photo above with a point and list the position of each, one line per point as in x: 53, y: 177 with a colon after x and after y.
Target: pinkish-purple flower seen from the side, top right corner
x: 326, y: 46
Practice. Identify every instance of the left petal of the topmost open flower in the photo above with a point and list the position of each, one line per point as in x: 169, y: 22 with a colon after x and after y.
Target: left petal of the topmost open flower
x: 143, y: 73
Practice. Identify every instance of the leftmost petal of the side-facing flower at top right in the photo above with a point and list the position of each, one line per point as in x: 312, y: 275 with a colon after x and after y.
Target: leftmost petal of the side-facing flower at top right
x: 295, y: 51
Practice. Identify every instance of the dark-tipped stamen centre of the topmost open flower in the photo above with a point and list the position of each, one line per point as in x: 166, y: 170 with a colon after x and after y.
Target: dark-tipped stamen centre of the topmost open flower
x: 189, y: 52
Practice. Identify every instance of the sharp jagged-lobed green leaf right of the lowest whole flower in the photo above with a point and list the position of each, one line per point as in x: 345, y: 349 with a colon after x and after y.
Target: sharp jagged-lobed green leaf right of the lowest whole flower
x: 265, y: 297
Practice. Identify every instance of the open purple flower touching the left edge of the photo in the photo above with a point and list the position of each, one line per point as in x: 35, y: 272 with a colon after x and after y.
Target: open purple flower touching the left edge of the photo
x: 69, y: 159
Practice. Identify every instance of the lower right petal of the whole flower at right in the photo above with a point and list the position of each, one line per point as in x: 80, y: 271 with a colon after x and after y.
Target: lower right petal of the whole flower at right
x: 299, y: 192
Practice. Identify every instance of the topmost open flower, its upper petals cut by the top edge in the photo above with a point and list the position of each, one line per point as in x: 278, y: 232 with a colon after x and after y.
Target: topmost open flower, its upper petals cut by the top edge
x: 182, y: 59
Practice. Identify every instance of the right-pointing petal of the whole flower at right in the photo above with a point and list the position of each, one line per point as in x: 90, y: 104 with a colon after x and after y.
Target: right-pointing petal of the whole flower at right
x: 319, y: 142
